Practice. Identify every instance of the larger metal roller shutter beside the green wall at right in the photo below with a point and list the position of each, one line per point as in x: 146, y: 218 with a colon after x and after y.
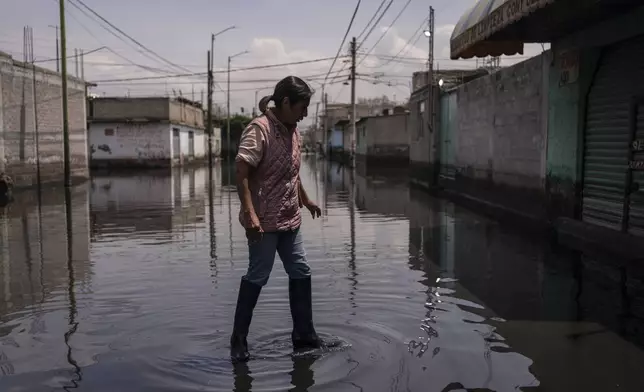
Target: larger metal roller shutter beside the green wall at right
x: 607, y: 136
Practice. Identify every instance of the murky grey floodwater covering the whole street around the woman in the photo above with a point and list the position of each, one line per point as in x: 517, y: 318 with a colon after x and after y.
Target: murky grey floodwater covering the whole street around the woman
x: 428, y: 297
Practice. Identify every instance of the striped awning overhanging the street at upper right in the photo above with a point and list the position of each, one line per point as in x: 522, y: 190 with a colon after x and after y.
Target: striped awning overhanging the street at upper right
x: 487, y: 17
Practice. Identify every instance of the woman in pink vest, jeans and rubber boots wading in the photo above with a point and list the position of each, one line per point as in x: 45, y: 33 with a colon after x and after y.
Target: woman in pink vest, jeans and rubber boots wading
x: 271, y: 195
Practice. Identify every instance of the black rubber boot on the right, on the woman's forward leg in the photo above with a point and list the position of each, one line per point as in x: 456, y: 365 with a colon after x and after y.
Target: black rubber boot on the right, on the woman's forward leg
x: 299, y: 295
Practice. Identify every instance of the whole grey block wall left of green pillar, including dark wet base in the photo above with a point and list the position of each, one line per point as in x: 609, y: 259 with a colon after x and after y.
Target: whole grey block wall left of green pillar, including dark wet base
x: 499, y: 136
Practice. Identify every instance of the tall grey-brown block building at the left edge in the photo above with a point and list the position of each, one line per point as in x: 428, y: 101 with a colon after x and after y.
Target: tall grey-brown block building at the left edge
x: 31, y: 125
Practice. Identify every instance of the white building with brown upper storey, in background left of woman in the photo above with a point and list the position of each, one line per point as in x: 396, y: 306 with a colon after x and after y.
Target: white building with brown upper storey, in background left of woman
x: 146, y: 132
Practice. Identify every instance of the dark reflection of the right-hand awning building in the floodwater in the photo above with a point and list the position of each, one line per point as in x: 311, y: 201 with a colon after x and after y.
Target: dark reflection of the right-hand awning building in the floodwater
x: 551, y: 305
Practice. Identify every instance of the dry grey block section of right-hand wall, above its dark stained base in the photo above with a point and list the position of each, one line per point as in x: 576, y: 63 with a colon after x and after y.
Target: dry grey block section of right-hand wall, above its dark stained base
x: 501, y: 126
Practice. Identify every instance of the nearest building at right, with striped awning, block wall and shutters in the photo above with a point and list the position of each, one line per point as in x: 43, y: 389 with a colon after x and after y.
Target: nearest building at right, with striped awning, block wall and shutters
x: 579, y: 103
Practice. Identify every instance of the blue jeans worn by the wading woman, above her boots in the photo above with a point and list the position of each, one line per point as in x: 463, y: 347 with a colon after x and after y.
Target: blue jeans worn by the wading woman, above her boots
x: 290, y: 248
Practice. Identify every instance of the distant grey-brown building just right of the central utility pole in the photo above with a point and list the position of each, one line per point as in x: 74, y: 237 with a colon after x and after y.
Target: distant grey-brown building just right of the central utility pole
x: 383, y: 140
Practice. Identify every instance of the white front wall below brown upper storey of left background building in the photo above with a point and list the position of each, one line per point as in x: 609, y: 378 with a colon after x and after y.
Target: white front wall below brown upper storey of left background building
x: 130, y: 142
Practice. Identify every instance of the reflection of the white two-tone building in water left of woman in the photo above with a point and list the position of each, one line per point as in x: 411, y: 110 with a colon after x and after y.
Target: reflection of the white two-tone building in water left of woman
x: 149, y: 203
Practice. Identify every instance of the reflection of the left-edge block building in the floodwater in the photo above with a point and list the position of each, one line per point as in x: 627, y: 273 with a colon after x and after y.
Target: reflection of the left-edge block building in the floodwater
x: 33, y: 249
